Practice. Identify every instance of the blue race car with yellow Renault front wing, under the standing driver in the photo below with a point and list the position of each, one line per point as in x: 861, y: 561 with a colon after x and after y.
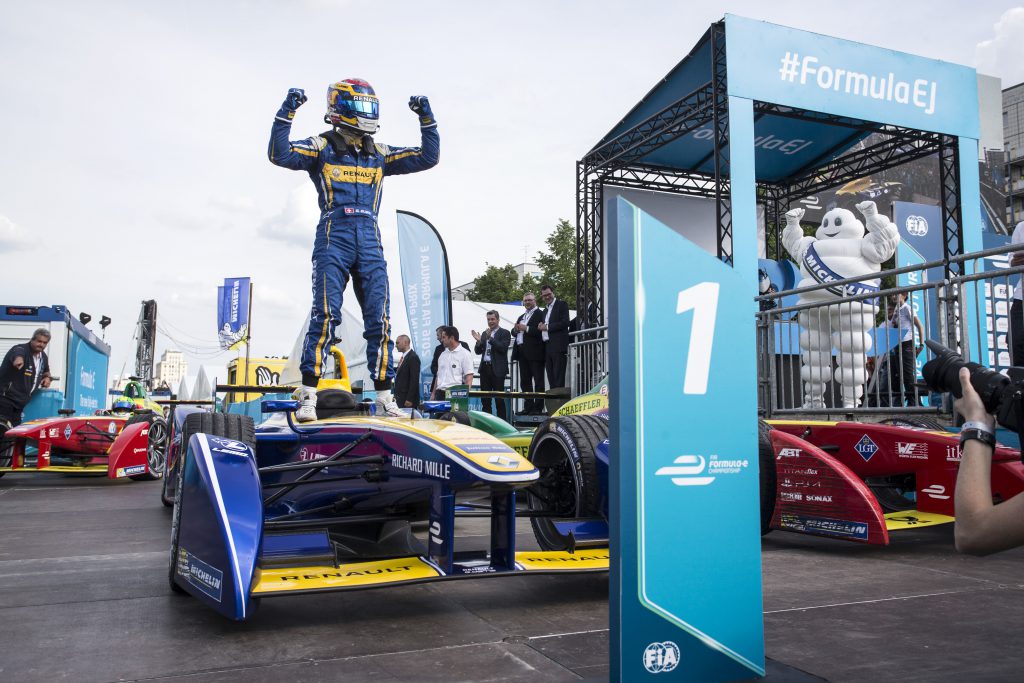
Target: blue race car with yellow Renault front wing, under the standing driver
x: 283, y: 508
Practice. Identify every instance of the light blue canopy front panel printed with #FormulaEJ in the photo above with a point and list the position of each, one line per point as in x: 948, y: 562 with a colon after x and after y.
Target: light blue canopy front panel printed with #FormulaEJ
x: 784, y: 66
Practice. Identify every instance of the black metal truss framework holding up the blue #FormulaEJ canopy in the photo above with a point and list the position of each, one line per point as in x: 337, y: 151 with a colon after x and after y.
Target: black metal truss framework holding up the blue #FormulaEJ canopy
x: 619, y: 162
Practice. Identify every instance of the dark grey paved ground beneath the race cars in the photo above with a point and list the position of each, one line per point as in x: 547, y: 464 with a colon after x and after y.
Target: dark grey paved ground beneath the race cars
x: 84, y: 597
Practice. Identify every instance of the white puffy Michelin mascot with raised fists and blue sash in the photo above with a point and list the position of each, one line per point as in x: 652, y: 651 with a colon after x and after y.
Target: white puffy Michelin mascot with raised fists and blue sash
x: 840, y: 249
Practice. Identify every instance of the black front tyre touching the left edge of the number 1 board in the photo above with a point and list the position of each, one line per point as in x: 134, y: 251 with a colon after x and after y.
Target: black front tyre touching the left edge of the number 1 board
x: 565, y: 451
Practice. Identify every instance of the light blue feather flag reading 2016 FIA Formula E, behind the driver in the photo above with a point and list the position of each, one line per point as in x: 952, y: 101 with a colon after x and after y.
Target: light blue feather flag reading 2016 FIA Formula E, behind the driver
x: 426, y: 284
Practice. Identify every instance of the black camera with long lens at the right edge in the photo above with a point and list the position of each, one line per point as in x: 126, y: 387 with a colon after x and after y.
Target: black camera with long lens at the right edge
x: 1002, y: 397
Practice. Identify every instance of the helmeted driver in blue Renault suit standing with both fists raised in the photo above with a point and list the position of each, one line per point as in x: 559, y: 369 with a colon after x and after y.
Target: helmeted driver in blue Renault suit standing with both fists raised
x: 348, y: 168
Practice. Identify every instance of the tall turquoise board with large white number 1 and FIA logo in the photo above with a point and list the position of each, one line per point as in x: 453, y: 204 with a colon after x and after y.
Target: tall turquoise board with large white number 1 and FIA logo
x: 687, y: 502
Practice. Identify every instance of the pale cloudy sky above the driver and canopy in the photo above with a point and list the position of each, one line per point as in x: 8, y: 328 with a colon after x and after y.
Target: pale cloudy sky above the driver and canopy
x: 135, y: 154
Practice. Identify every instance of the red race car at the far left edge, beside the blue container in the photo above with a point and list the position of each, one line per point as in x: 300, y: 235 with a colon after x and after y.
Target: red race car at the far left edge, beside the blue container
x: 118, y: 446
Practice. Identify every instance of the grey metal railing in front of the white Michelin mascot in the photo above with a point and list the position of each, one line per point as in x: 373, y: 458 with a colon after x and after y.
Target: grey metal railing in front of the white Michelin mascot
x: 847, y: 374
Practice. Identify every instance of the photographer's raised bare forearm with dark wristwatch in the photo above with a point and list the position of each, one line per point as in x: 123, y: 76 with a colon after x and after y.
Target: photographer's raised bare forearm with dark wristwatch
x: 983, y: 528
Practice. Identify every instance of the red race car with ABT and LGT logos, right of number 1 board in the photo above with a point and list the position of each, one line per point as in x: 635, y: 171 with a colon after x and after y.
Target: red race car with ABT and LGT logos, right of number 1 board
x: 862, y: 481
